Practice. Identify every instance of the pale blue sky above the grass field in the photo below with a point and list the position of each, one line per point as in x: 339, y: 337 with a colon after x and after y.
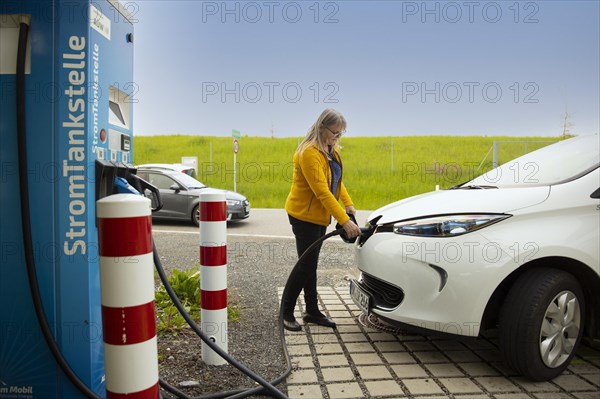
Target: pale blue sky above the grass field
x: 393, y: 68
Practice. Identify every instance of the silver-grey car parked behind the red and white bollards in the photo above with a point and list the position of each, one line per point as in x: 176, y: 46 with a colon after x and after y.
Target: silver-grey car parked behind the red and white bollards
x: 180, y: 192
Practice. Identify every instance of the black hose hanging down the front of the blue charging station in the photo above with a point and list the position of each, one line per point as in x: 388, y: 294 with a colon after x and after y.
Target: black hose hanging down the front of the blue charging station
x: 26, y: 219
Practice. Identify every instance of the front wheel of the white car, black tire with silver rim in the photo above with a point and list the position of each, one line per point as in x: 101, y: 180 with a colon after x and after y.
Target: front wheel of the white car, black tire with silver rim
x: 541, y: 323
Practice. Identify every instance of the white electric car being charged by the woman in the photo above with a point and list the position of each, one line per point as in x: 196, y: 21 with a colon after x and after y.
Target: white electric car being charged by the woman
x: 516, y: 249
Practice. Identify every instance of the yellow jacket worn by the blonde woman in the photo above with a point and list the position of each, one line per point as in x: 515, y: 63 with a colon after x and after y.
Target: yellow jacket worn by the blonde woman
x: 310, y: 198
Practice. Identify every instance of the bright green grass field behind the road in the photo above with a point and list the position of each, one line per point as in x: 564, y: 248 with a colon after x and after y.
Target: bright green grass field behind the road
x: 377, y: 170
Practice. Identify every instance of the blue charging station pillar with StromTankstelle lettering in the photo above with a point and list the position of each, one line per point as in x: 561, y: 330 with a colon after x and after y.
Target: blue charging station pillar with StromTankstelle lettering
x: 79, y: 91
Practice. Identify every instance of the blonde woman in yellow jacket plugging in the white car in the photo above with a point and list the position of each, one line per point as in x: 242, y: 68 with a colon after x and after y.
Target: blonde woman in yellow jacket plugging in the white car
x: 315, y: 196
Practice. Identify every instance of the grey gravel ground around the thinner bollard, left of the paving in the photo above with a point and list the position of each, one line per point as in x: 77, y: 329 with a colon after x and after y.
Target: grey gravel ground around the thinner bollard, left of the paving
x: 256, y: 267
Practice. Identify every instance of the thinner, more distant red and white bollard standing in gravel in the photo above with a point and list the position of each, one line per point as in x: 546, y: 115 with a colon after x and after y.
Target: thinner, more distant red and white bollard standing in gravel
x: 213, y: 273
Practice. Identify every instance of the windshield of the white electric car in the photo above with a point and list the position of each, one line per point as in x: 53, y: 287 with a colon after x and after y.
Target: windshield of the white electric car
x: 553, y: 164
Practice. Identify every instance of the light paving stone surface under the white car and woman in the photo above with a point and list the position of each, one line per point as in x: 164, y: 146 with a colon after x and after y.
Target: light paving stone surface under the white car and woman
x: 359, y: 360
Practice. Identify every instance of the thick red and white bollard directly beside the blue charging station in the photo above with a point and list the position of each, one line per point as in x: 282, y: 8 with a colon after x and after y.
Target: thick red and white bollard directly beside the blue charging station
x: 127, y: 297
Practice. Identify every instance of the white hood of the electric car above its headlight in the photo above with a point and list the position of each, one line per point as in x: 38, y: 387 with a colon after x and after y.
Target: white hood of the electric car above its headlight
x: 461, y: 201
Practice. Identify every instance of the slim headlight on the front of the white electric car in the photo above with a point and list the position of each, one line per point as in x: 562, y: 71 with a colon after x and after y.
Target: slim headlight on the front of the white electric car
x: 447, y: 225
